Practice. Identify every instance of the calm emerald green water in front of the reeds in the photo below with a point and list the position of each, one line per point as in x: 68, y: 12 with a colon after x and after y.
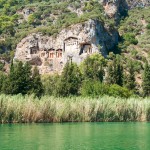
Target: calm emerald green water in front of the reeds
x: 75, y: 136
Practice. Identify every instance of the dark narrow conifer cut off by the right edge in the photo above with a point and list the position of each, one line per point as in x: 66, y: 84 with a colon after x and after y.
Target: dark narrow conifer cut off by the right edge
x: 146, y: 80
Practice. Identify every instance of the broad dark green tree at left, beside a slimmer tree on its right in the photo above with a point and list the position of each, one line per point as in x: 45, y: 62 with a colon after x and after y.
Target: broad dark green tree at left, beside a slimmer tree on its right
x: 19, y: 79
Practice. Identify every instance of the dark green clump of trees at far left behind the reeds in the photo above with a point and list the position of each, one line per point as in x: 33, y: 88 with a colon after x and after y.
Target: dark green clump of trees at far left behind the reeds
x: 21, y: 80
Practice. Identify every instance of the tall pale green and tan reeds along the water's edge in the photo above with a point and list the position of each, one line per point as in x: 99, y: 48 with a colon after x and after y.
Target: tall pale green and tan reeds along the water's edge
x: 19, y: 109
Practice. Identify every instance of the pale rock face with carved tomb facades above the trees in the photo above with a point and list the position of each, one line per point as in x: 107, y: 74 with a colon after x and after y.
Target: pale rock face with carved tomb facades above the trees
x: 74, y: 43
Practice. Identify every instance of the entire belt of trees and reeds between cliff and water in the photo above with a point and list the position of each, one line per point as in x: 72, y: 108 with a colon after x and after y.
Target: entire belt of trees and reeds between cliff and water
x: 77, y: 95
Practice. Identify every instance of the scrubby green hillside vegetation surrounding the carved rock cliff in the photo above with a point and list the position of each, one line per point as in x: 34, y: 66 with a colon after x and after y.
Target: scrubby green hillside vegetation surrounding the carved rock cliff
x: 18, y: 18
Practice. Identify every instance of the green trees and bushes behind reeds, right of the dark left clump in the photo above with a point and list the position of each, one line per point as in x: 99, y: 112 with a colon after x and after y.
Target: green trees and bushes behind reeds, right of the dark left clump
x: 97, y: 76
